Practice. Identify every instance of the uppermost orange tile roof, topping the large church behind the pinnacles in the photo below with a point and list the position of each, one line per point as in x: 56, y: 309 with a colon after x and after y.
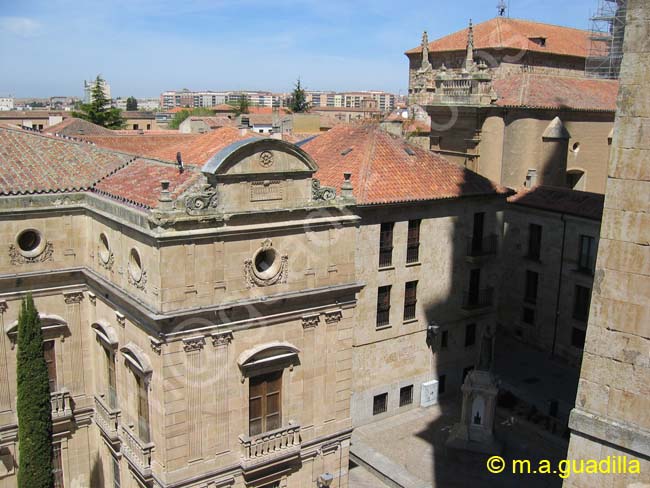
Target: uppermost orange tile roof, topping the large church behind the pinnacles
x: 500, y: 32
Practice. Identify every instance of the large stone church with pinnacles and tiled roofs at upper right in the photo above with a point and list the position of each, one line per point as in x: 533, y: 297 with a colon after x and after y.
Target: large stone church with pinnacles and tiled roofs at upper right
x: 492, y: 91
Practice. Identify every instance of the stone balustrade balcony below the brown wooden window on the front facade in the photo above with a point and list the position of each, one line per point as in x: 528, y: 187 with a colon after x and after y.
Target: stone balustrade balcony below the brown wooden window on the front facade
x: 270, y: 447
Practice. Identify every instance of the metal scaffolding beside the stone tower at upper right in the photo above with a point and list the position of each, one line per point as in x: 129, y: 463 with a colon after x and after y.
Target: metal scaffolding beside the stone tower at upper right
x: 606, y: 40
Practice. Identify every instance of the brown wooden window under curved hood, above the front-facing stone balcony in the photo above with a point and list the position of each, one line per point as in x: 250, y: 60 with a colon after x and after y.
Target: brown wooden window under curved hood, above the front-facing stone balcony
x: 264, y: 403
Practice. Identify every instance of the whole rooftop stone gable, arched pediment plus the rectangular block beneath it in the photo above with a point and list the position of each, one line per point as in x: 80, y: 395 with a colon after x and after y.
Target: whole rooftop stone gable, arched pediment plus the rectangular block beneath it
x: 261, y: 174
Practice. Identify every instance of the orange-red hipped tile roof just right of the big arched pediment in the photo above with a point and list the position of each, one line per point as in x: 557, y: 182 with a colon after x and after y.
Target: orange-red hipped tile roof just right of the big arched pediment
x: 384, y: 172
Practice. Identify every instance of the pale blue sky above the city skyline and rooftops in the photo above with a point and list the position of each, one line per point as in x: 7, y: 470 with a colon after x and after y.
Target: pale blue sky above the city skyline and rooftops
x: 143, y: 47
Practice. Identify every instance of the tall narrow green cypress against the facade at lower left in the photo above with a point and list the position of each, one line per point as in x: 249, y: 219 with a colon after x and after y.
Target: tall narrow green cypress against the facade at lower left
x: 33, y: 407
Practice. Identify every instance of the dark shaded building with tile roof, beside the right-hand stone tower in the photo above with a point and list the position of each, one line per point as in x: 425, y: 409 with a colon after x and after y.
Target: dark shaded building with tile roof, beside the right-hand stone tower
x: 551, y: 238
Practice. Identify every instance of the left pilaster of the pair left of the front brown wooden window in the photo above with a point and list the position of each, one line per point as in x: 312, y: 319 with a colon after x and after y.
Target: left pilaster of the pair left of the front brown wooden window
x: 193, y: 347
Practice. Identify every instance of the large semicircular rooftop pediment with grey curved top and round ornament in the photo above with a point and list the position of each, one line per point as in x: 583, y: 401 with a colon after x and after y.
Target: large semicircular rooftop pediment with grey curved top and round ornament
x: 258, y: 156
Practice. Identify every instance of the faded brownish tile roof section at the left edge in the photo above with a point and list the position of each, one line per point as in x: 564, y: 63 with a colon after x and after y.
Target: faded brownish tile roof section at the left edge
x: 38, y: 163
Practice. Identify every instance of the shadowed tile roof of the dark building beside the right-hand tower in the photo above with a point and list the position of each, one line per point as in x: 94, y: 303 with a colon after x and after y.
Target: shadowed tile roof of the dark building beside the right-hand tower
x: 561, y: 200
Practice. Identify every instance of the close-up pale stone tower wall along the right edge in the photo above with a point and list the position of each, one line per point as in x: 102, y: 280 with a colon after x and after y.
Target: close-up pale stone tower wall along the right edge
x: 612, y: 412
